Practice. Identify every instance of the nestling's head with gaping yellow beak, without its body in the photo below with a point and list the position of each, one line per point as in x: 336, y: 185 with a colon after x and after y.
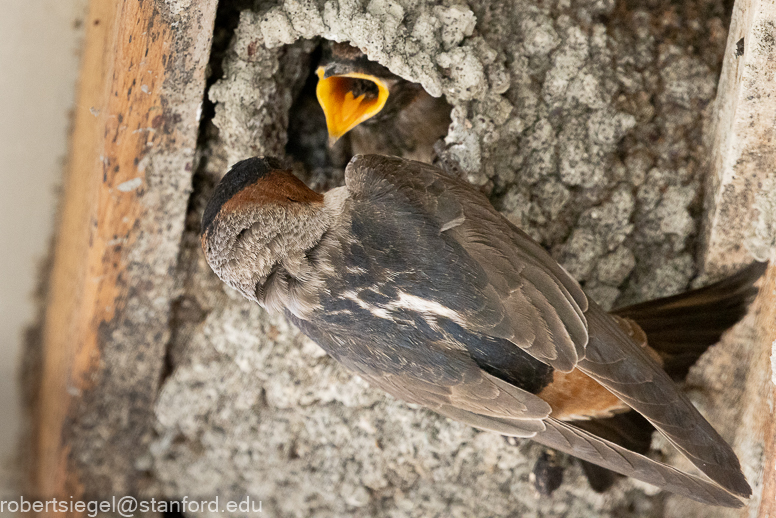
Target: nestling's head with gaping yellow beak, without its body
x: 351, y: 89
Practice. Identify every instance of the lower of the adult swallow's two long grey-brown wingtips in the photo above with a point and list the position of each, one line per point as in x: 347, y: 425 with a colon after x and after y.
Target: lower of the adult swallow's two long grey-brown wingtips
x: 579, y: 443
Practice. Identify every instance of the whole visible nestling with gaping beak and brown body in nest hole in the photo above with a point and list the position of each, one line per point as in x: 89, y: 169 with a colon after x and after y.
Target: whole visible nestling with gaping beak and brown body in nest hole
x: 382, y: 112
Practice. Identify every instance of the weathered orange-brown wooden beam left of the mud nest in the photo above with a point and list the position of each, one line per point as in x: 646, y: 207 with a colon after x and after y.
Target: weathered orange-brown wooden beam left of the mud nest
x: 122, y: 214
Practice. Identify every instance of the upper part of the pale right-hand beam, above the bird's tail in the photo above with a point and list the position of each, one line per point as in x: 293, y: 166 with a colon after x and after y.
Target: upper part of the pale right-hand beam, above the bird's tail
x: 743, y: 140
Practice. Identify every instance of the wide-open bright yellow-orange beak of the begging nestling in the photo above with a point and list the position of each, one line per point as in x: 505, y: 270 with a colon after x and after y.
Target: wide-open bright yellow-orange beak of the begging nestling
x: 344, y: 110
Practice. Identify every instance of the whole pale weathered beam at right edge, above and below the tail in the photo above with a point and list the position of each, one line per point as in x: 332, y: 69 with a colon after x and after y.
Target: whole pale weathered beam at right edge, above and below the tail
x: 739, y: 226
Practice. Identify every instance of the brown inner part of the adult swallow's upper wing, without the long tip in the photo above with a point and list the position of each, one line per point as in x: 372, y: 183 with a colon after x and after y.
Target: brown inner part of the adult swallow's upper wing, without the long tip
x: 532, y: 301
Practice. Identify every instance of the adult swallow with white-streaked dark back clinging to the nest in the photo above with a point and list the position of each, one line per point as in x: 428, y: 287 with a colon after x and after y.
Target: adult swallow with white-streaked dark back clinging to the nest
x: 411, y: 279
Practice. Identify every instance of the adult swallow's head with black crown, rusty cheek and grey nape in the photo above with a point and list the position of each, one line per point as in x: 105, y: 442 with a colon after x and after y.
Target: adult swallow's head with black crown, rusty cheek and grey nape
x: 260, y: 217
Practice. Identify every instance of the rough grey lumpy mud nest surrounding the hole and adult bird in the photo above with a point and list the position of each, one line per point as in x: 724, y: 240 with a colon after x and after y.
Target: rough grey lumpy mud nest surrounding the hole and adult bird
x: 583, y: 122
